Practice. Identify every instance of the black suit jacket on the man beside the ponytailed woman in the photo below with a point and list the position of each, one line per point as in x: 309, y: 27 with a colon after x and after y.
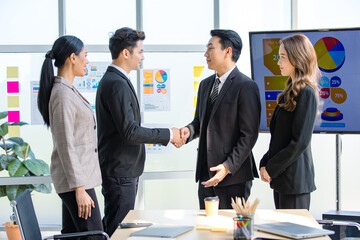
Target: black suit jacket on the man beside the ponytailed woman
x: 120, y: 135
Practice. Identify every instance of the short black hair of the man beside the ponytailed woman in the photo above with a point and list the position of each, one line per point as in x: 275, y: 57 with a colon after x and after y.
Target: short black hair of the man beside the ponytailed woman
x: 124, y: 38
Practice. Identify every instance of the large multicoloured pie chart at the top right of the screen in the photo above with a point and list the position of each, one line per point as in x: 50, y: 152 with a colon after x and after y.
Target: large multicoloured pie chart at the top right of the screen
x: 330, y: 53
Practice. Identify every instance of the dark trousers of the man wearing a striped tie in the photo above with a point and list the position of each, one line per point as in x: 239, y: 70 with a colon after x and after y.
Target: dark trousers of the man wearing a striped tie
x: 224, y: 193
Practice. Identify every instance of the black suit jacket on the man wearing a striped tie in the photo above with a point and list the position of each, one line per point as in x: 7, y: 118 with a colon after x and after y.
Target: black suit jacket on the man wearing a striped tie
x: 232, y: 129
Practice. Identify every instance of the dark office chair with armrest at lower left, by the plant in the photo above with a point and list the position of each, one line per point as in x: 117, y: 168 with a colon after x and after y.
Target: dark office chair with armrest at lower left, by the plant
x: 29, y: 227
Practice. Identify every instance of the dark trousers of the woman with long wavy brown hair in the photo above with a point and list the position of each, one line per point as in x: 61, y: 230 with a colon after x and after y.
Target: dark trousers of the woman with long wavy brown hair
x: 292, y: 201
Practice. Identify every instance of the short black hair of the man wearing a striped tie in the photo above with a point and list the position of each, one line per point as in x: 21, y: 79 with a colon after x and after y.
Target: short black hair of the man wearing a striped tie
x: 229, y: 38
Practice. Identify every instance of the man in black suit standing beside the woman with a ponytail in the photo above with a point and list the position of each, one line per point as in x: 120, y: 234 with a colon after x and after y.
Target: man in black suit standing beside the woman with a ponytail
x: 120, y: 135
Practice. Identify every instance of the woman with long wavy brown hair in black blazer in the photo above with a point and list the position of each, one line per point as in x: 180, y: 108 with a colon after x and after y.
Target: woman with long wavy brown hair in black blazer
x: 288, y: 164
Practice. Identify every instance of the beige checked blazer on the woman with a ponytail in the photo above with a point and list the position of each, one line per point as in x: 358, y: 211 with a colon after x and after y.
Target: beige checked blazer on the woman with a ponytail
x: 74, y: 160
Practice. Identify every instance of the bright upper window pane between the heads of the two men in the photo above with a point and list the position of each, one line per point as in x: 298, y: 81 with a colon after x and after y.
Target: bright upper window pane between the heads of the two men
x: 177, y: 22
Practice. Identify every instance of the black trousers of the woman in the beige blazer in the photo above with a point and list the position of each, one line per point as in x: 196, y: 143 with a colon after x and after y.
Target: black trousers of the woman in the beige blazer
x: 70, y: 218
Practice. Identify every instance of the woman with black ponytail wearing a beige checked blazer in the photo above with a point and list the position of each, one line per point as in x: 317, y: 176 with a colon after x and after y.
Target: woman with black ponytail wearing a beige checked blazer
x: 74, y: 166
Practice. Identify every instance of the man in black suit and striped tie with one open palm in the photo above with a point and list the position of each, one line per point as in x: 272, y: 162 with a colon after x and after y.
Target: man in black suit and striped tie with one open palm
x: 226, y: 120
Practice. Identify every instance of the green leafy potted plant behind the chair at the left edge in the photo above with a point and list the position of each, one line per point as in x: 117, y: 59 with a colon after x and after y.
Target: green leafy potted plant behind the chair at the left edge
x: 18, y: 160
